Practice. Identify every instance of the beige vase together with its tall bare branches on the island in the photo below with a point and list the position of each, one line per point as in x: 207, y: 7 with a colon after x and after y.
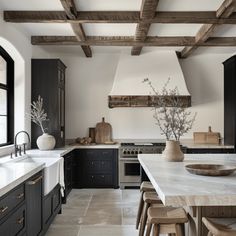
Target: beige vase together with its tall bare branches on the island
x: 173, y: 118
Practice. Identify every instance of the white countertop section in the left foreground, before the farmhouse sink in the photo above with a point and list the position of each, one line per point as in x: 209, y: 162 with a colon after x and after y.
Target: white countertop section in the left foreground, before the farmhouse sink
x: 14, y: 173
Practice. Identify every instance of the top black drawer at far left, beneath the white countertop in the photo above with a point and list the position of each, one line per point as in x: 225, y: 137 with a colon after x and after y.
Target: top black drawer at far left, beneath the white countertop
x: 11, y: 200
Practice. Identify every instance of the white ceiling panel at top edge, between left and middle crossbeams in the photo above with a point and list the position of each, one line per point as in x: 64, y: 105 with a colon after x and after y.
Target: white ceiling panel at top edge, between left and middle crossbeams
x: 108, y: 5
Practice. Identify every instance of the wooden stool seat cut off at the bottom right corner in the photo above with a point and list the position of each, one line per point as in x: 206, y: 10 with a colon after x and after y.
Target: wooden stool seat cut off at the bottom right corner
x: 218, y: 229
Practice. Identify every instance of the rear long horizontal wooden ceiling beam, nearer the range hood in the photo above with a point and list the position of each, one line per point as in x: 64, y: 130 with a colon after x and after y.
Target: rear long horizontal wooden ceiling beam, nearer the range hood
x: 130, y: 41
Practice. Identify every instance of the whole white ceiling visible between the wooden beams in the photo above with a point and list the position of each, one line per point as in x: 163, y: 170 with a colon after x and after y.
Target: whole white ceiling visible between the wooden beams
x: 115, y: 29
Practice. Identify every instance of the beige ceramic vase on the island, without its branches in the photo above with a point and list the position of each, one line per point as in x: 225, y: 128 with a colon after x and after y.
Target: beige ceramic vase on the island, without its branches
x: 172, y: 151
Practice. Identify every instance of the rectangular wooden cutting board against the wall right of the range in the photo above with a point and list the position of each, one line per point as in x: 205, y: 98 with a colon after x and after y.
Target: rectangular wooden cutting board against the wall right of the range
x: 207, y: 137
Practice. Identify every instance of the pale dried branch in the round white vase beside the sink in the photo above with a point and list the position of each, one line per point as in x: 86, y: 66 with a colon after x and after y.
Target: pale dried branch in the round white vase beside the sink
x: 37, y: 114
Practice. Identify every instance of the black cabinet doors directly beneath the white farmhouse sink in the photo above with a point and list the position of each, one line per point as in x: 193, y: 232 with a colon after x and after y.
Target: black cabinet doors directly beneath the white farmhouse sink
x: 51, y: 207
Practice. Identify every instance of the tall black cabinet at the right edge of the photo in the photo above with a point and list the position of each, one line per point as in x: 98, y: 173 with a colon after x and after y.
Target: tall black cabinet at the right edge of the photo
x: 230, y: 101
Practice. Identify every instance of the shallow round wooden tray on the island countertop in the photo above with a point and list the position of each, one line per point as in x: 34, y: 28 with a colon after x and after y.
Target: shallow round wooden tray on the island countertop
x: 210, y: 169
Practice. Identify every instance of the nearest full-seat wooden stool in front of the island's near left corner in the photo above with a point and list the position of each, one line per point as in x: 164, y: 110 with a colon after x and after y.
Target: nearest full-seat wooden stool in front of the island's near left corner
x: 166, y: 220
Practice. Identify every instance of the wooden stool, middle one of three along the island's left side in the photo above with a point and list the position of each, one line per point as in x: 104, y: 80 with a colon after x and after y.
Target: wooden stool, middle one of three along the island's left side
x: 149, y: 199
